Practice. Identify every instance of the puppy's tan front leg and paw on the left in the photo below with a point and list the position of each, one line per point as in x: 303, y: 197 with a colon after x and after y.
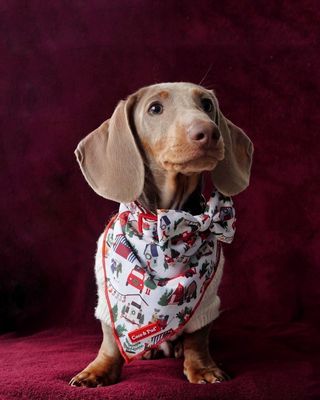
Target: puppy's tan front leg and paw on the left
x: 105, y: 369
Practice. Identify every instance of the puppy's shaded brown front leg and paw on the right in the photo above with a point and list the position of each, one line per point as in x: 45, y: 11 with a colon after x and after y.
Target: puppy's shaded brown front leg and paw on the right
x: 198, y: 365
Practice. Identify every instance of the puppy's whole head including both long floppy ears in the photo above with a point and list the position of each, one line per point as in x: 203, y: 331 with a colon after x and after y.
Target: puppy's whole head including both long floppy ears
x: 180, y: 128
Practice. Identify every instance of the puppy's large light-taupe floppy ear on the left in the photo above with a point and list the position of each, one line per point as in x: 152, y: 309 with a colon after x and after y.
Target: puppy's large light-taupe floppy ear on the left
x: 110, y: 159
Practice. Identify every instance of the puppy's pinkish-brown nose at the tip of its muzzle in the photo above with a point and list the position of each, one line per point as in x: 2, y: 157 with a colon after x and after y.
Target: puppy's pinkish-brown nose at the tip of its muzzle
x: 203, y: 133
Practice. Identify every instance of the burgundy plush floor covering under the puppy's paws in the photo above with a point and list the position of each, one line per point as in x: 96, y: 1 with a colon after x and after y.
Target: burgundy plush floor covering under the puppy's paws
x: 278, y: 364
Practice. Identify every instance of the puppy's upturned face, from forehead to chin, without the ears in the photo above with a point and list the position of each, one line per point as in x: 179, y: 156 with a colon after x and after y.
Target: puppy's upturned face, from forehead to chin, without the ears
x: 177, y: 126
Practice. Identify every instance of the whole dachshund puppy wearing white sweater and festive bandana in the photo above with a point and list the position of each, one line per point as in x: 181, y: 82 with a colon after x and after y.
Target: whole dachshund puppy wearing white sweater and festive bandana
x: 150, y: 156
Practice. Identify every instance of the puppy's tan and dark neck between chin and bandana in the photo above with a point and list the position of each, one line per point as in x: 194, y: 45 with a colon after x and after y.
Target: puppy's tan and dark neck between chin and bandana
x: 172, y: 190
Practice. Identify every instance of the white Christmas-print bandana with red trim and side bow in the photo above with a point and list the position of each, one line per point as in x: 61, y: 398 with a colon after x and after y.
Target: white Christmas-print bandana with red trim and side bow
x: 157, y: 268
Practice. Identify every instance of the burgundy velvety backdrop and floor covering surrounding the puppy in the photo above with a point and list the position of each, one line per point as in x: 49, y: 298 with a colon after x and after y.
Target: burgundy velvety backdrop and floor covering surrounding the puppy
x: 63, y: 69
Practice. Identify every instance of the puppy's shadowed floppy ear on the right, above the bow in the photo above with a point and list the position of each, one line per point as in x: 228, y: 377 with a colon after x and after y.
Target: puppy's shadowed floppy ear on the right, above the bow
x: 231, y: 176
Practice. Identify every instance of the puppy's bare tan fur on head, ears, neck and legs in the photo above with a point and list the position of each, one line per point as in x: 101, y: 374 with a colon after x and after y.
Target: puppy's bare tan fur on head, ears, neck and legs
x: 153, y: 158
